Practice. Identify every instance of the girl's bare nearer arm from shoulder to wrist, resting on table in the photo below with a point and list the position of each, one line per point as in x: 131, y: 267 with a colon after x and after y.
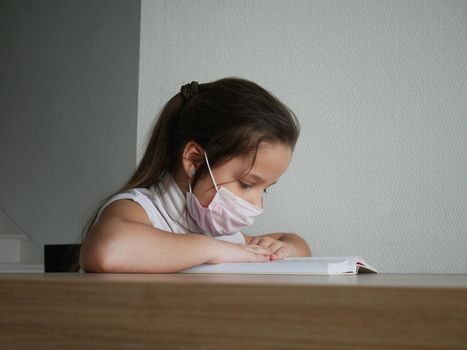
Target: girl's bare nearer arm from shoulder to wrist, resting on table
x: 124, y: 241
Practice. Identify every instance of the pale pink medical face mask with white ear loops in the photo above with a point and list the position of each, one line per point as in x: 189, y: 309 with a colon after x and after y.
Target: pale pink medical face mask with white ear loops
x: 225, y: 215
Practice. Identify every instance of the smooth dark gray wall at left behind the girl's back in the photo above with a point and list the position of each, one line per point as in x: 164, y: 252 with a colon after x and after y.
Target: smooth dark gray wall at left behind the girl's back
x: 68, y: 89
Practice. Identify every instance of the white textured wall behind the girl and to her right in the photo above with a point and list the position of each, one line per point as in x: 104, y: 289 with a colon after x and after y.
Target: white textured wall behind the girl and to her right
x: 380, y: 169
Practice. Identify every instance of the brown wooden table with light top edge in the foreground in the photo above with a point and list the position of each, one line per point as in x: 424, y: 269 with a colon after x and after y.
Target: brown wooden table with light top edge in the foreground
x: 179, y: 311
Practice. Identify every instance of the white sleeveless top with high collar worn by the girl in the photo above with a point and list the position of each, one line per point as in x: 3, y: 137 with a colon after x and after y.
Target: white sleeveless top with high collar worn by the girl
x: 165, y: 205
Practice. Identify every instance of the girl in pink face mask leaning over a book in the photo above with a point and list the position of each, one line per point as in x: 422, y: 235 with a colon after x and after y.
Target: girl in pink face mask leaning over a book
x: 214, y: 150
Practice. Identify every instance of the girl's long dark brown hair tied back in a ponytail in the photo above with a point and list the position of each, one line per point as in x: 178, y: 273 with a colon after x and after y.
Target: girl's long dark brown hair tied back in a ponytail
x: 228, y: 117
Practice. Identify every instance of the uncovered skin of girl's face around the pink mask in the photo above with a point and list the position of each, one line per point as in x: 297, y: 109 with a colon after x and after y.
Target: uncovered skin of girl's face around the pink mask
x: 272, y: 160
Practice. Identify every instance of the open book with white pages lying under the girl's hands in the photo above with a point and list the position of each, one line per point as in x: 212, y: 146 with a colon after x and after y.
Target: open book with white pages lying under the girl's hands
x: 347, y: 265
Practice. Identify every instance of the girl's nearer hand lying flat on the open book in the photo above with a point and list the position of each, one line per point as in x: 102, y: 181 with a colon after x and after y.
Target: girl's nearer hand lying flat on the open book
x: 231, y: 252
